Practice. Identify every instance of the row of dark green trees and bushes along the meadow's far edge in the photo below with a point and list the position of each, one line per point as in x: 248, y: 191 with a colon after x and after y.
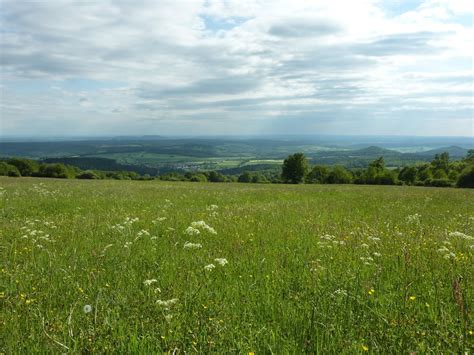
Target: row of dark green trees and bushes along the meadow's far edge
x: 440, y: 172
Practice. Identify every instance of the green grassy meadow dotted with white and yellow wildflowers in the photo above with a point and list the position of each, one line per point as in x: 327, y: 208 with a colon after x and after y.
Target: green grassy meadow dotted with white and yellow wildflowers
x: 129, y: 266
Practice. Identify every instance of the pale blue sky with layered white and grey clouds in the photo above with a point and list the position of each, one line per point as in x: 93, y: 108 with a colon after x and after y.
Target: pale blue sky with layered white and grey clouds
x: 246, y: 67
